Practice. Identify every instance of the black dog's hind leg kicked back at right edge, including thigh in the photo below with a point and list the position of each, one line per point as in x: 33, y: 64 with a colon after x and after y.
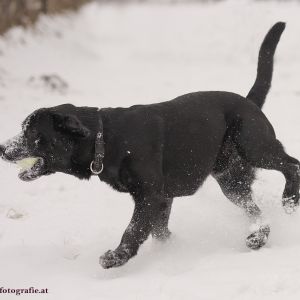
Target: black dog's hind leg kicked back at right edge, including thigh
x: 257, y: 144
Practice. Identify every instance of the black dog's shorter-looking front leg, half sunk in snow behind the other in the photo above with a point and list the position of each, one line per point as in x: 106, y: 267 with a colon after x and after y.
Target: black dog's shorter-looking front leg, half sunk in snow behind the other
x: 160, y: 228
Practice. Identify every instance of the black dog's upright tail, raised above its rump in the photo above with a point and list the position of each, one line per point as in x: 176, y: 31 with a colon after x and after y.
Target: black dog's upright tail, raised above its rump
x: 262, y: 84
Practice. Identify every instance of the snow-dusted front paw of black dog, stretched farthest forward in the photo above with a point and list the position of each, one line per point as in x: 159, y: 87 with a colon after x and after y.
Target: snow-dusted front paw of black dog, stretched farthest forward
x: 112, y: 259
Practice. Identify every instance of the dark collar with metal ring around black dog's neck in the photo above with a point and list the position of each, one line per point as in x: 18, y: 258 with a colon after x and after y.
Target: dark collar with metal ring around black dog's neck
x: 96, y: 165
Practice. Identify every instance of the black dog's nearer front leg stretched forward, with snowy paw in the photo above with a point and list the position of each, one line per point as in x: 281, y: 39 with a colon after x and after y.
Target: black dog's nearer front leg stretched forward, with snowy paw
x: 138, y: 230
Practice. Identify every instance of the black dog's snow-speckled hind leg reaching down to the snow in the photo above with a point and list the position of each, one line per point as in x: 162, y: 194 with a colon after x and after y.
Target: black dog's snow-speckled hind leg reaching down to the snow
x: 235, y: 180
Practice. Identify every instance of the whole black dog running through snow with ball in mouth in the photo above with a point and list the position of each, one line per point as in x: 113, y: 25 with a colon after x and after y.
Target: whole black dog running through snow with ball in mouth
x: 161, y: 151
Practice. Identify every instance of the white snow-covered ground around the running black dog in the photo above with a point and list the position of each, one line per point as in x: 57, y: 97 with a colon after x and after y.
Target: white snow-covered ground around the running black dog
x: 53, y: 230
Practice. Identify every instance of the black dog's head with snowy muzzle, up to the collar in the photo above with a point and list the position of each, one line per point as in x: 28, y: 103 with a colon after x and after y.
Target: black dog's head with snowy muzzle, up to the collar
x: 57, y: 139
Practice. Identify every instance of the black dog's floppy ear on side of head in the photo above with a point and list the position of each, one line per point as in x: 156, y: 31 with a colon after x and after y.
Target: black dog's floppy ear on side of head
x: 70, y: 124
